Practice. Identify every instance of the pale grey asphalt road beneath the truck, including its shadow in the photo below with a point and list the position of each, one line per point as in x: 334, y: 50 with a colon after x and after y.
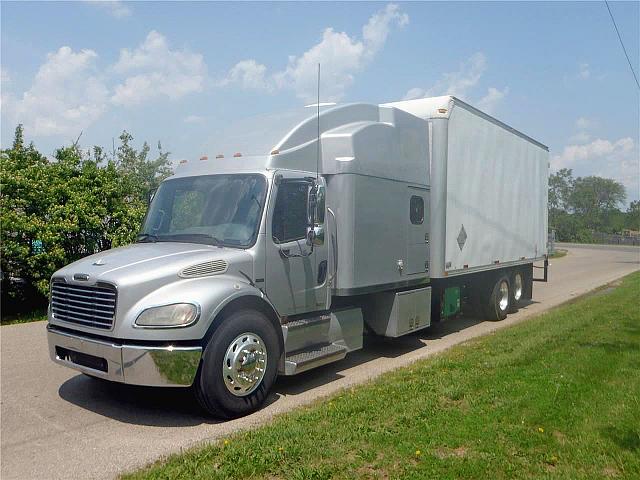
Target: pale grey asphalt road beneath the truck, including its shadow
x: 57, y: 423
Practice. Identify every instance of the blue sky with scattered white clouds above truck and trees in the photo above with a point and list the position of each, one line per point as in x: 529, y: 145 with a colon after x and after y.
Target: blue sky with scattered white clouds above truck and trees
x: 208, y: 78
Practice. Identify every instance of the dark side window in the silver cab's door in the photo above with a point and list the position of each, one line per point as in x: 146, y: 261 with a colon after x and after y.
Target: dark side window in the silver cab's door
x: 290, y: 212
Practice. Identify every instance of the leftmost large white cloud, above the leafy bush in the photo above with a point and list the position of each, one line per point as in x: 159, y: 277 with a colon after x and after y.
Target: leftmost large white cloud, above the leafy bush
x: 66, y: 96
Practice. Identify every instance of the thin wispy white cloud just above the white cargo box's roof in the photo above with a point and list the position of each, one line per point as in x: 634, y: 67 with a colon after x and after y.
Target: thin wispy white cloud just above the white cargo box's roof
x: 461, y: 84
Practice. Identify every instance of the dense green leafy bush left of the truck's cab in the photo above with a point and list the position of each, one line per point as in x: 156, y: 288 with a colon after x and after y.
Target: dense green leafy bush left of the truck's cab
x: 56, y: 211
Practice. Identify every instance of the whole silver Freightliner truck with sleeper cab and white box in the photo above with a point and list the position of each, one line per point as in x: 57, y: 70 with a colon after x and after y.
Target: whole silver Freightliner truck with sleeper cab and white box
x: 365, y: 218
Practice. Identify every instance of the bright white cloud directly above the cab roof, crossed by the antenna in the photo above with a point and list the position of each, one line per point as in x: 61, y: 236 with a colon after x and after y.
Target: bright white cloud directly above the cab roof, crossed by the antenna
x: 340, y: 55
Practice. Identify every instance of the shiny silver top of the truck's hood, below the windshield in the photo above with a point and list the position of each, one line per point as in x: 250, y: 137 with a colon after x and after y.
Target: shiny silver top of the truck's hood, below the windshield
x: 141, y: 263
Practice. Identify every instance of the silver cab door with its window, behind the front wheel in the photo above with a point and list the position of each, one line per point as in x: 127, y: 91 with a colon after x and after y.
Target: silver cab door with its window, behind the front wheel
x: 296, y: 274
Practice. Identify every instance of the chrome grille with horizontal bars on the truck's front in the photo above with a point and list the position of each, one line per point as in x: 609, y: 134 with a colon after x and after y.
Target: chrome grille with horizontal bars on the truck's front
x: 90, y: 305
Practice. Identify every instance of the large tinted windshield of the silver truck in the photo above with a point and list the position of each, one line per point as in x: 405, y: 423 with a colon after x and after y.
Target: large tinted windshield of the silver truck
x: 212, y: 209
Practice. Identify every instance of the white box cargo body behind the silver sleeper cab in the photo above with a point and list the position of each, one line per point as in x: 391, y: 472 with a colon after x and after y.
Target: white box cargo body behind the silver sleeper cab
x: 488, y: 191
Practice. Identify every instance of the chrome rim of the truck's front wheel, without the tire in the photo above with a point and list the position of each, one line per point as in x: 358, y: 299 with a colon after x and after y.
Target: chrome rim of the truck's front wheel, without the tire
x: 244, y: 364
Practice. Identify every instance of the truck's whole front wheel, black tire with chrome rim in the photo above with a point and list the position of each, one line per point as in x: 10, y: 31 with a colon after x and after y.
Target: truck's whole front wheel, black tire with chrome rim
x: 239, y: 365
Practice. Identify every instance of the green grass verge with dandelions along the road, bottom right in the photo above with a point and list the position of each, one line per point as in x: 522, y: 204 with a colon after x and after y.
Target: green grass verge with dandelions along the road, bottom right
x: 556, y: 396
